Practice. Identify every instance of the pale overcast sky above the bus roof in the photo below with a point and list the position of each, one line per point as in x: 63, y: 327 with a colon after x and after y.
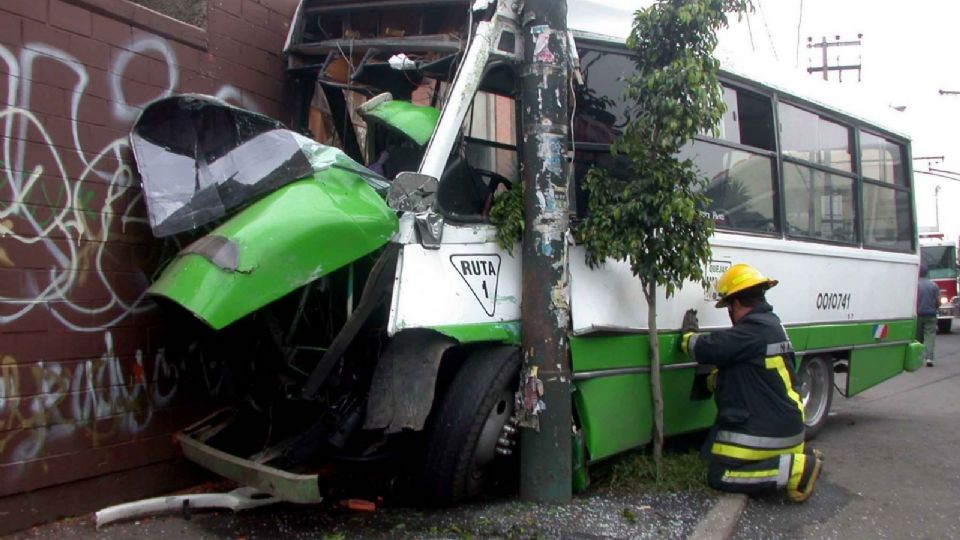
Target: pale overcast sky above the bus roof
x: 908, y: 53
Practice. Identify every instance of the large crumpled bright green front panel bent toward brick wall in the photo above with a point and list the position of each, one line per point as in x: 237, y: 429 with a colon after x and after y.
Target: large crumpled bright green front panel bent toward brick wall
x: 291, y: 237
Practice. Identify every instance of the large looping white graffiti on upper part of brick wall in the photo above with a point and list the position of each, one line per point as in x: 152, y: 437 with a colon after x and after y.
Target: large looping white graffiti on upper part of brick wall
x: 44, y: 204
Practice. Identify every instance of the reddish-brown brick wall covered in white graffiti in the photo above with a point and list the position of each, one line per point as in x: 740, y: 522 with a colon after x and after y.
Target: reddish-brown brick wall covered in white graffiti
x: 87, y: 387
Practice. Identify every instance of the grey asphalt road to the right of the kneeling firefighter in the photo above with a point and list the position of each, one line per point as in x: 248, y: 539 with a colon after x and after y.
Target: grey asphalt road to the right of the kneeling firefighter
x: 892, y: 466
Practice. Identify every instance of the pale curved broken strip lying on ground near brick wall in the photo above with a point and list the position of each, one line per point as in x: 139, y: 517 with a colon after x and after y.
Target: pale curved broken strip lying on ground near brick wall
x: 244, y: 498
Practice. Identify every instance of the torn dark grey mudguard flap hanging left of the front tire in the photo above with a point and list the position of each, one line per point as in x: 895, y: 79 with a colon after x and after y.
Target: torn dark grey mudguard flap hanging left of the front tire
x: 405, y: 380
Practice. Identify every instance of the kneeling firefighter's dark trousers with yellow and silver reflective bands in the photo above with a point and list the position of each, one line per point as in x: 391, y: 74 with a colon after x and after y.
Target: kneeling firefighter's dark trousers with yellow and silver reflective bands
x: 790, y: 472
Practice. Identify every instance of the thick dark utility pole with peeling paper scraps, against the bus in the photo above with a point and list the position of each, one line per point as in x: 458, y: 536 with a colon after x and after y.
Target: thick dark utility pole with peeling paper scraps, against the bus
x: 545, y: 457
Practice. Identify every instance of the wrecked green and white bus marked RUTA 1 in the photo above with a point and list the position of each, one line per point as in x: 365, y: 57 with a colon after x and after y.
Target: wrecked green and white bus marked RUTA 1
x: 345, y: 274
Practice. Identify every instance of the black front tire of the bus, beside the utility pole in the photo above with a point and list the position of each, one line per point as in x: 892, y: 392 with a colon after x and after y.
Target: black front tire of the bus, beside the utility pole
x: 474, y: 408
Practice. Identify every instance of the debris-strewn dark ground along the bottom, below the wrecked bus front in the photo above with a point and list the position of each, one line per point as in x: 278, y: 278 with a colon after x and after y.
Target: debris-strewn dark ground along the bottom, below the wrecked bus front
x: 599, y: 514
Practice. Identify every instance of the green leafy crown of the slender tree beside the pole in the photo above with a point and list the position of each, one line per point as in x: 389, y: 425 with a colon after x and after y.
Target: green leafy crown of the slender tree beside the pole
x: 651, y: 217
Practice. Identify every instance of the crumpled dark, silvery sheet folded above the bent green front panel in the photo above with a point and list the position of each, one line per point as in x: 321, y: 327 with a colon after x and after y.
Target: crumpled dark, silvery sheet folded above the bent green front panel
x: 199, y: 157
